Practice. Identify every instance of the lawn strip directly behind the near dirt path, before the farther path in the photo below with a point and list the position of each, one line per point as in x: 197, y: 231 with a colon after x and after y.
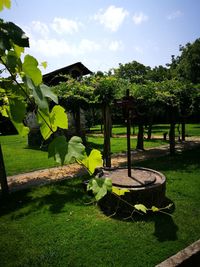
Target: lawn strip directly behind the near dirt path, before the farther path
x: 19, y: 158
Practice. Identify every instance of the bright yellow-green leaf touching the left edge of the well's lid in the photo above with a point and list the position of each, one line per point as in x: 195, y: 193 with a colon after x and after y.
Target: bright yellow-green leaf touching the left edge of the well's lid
x: 93, y: 161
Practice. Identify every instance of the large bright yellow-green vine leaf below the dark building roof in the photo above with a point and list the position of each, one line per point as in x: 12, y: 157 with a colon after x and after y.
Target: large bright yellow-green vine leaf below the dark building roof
x: 58, y: 118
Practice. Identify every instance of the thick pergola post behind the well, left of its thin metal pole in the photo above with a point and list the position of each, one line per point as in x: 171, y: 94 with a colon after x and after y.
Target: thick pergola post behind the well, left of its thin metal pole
x: 107, y: 133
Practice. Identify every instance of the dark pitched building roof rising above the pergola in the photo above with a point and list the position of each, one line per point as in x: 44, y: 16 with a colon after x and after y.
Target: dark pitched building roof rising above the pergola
x: 75, y: 70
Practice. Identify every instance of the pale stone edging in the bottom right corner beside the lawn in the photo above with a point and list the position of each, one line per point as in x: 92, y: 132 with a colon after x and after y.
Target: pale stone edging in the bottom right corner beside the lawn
x: 190, y: 256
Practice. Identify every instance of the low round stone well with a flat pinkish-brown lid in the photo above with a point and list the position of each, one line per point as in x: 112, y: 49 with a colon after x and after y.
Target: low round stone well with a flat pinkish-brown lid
x: 146, y: 186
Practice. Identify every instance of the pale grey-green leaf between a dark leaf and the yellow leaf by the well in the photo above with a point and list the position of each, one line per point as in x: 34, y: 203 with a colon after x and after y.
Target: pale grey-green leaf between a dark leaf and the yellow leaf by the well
x: 76, y: 150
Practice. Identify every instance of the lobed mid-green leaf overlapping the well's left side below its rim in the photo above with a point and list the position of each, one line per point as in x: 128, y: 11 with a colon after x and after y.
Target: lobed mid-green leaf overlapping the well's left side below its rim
x: 99, y: 187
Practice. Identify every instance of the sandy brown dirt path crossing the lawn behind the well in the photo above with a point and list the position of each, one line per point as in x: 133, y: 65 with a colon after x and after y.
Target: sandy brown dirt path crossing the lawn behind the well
x: 21, y: 181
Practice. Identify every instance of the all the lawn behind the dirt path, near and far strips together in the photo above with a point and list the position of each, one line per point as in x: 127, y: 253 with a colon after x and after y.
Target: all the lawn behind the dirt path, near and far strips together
x: 19, y: 158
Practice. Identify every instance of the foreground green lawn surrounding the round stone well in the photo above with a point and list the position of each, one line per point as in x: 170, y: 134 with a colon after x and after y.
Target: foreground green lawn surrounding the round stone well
x: 52, y: 225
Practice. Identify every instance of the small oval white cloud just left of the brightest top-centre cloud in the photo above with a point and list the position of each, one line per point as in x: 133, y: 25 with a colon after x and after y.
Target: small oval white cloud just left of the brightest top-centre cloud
x: 62, y: 25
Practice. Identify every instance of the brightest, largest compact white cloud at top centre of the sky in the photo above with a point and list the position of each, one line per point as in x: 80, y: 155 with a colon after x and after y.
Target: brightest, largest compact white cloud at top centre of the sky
x: 112, y: 18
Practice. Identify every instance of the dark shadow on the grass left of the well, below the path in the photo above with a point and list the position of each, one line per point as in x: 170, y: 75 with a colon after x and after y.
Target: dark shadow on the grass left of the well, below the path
x: 52, y: 197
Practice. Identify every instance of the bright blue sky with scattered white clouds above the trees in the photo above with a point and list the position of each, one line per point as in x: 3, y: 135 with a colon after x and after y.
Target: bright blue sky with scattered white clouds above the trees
x: 103, y: 33
